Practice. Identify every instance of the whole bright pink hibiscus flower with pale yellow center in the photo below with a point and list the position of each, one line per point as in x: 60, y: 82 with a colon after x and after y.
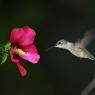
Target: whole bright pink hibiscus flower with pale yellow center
x: 22, y: 47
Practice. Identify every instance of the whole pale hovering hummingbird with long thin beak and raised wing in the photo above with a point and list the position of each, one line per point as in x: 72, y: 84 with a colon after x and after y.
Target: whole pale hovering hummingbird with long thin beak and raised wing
x: 79, y: 47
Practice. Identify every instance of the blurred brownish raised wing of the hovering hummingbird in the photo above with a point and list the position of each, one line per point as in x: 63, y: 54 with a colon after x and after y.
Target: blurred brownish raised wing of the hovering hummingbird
x: 86, y: 39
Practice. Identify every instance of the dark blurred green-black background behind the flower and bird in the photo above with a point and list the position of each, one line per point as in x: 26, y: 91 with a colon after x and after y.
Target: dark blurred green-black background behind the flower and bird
x: 58, y: 71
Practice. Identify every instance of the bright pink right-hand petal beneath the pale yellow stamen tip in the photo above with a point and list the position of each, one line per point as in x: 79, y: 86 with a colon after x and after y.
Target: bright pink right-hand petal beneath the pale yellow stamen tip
x: 31, y: 54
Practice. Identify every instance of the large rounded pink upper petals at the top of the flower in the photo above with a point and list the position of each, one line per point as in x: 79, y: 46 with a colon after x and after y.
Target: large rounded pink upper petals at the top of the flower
x: 22, y: 36
